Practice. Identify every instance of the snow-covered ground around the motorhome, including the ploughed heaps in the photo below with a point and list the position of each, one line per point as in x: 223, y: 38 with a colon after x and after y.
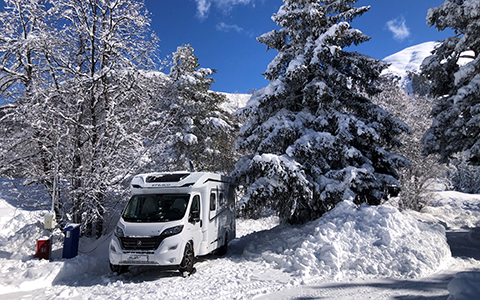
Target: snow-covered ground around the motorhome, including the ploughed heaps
x: 350, y: 253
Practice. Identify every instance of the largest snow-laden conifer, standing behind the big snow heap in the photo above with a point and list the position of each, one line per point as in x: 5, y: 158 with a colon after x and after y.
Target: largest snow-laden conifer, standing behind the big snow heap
x: 314, y: 138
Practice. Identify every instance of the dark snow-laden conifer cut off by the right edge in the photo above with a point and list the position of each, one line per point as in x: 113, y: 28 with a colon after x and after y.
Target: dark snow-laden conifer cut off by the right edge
x: 456, y: 127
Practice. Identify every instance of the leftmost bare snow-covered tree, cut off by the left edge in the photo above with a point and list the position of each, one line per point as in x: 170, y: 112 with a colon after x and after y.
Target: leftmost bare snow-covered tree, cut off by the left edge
x: 28, y: 130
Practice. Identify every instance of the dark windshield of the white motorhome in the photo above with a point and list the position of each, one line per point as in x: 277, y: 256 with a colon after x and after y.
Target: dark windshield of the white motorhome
x: 156, y: 208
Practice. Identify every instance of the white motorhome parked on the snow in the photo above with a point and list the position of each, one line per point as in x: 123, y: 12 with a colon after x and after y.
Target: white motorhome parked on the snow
x: 173, y: 217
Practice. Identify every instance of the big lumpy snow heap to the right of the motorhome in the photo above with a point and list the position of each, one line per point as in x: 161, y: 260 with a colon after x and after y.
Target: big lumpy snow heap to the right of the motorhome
x: 351, y: 242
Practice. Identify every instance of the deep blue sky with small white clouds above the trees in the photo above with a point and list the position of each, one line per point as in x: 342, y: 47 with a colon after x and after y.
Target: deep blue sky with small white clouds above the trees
x: 223, y: 33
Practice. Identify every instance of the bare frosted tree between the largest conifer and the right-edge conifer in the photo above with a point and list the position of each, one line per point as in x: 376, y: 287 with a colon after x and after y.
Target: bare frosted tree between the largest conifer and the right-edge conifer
x: 416, y: 179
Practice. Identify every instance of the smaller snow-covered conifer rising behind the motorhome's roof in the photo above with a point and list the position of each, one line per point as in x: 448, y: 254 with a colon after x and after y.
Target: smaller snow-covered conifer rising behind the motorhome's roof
x: 202, y: 133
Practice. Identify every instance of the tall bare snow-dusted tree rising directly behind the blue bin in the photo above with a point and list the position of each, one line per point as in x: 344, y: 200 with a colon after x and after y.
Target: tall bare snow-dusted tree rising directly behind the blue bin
x: 106, y: 45
